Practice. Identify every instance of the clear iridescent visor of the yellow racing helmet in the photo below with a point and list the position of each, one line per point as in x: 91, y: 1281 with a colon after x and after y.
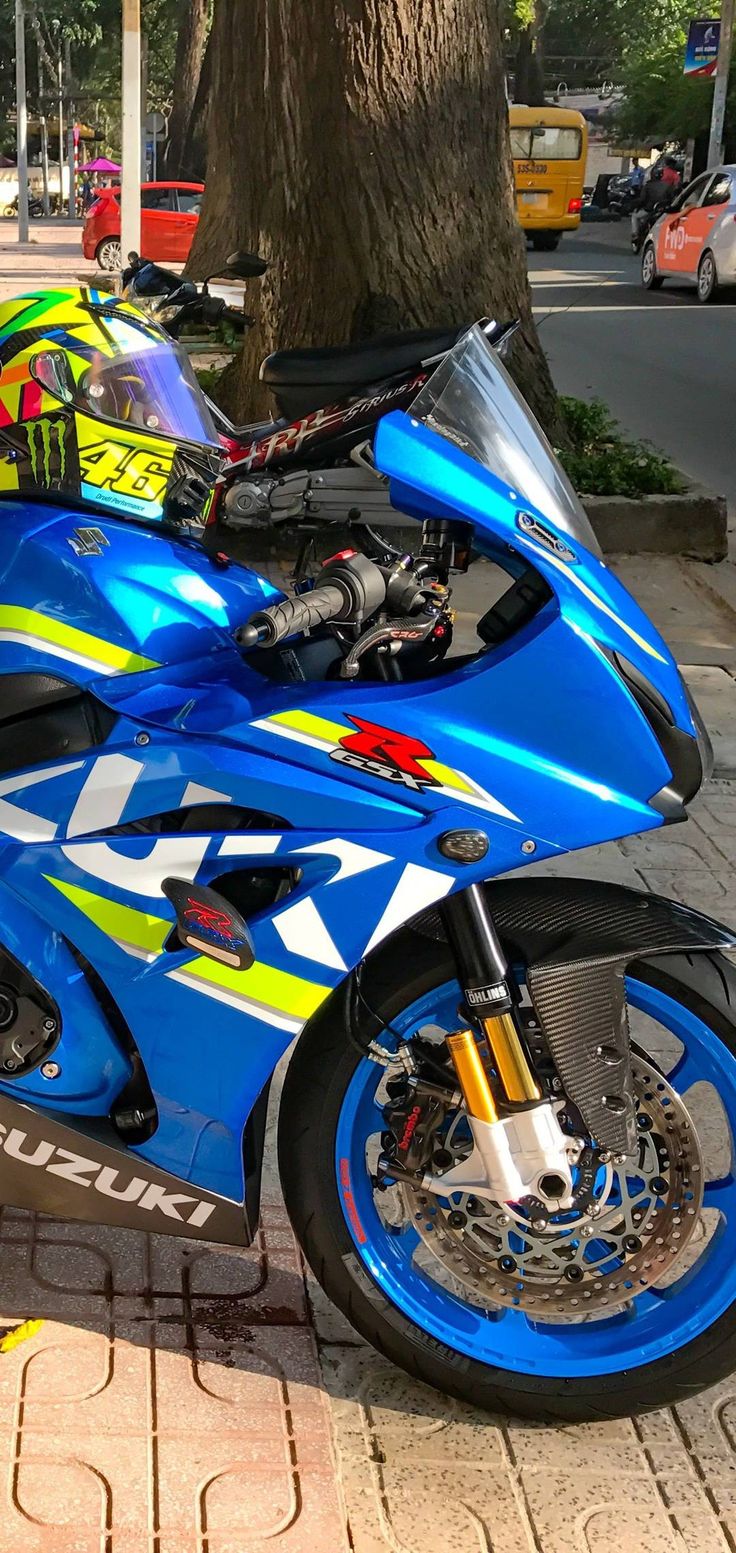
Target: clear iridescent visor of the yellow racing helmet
x: 133, y: 378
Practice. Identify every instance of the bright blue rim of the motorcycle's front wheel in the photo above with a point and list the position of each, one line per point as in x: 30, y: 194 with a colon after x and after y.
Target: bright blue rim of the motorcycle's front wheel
x: 658, y: 1325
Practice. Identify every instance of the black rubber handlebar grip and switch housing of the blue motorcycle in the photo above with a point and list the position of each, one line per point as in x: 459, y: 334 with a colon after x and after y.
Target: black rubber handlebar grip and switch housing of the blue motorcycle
x: 355, y: 588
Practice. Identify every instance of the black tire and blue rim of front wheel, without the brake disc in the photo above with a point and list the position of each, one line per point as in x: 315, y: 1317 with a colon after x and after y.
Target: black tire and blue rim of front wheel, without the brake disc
x: 328, y: 1206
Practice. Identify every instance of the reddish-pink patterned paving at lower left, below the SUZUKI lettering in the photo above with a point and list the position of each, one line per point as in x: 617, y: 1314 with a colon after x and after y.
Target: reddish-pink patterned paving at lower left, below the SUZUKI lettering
x: 172, y: 1400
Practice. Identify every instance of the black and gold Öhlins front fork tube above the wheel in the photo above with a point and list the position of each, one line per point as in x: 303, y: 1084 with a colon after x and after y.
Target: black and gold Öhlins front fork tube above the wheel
x: 484, y: 975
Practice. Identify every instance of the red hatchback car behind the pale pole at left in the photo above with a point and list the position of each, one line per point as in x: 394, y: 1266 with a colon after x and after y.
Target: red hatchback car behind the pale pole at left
x: 170, y: 214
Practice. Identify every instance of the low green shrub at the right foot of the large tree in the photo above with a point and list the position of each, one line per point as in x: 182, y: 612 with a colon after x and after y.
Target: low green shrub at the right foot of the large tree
x: 602, y: 462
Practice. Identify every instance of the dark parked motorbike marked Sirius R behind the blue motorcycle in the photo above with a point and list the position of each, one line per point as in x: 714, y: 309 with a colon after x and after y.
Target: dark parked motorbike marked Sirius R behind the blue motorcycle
x: 316, y: 462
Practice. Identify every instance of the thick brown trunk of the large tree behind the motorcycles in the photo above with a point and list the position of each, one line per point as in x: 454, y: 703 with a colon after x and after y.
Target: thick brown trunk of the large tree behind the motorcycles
x: 364, y: 150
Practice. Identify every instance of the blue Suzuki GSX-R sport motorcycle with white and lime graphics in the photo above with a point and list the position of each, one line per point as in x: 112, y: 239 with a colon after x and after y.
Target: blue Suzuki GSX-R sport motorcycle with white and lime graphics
x: 232, y: 819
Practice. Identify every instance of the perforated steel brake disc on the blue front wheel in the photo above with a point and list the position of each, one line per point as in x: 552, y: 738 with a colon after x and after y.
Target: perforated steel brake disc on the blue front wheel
x: 644, y: 1214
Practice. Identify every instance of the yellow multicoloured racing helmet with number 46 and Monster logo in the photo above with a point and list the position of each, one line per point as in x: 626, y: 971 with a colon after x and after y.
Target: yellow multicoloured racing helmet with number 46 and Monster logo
x: 99, y: 406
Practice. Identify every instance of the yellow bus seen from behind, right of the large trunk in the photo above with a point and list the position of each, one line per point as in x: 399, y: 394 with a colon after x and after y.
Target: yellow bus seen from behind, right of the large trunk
x: 549, y: 147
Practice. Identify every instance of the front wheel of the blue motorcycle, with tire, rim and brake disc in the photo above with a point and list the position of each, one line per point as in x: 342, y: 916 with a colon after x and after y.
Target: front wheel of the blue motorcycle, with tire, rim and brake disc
x: 614, y: 1310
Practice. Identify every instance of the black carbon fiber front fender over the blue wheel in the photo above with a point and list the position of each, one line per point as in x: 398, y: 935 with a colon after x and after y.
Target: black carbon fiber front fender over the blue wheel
x: 577, y: 939
